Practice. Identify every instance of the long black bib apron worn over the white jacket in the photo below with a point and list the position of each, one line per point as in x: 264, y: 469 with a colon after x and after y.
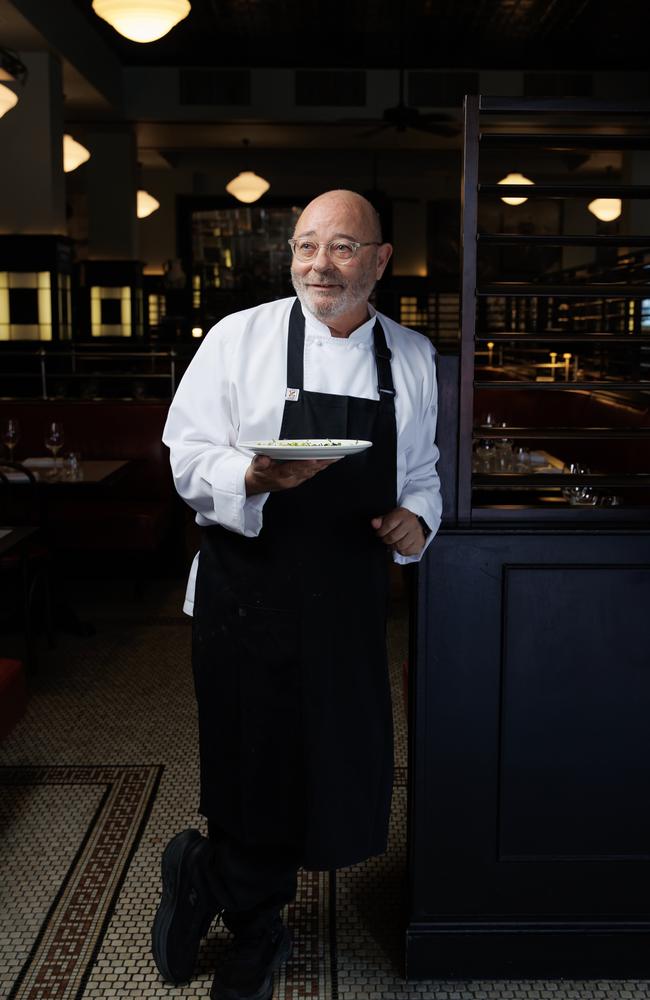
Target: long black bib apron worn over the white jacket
x: 289, y: 648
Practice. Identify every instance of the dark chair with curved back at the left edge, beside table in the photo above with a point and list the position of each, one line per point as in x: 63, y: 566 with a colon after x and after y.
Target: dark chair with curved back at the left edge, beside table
x: 25, y: 572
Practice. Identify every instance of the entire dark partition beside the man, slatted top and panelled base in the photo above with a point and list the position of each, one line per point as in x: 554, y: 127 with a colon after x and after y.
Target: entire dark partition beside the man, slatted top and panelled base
x: 529, y: 816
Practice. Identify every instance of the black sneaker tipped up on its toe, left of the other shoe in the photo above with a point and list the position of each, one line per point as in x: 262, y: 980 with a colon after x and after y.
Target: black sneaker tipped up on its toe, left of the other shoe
x: 187, y: 907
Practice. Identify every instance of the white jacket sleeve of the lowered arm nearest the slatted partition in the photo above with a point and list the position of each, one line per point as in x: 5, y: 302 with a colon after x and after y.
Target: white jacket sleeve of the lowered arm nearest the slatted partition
x: 421, y: 490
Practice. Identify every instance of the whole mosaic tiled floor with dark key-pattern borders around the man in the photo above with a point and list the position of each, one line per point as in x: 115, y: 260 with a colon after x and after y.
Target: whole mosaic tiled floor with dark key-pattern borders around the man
x: 118, y: 703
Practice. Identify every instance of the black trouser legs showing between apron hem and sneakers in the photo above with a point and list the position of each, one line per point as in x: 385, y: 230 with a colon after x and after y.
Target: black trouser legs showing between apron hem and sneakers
x: 253, y: 882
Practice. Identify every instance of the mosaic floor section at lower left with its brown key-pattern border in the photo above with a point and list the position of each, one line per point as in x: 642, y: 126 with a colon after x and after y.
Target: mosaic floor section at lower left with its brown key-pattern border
x: 68, y: 936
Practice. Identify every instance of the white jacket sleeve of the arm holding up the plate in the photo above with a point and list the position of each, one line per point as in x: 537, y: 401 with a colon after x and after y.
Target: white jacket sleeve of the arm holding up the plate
x: 201, y: 434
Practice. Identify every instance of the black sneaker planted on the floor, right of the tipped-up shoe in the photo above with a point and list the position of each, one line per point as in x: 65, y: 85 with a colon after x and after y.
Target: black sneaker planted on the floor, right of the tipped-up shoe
x: 247, y: 973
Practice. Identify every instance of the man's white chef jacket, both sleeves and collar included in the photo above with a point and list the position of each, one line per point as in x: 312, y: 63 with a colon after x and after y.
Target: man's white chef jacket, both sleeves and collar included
x: 234, y: 390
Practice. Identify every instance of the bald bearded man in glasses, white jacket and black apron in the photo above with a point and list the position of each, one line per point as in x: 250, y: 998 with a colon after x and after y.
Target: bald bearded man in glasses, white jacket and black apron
x: 290, y: 589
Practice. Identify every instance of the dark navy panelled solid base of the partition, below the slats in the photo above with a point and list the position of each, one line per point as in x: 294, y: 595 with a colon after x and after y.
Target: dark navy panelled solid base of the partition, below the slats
x: 530, y: 756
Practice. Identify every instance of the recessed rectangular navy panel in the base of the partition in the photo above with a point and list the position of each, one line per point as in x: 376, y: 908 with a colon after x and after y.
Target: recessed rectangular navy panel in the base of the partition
x: 575, y: 697
